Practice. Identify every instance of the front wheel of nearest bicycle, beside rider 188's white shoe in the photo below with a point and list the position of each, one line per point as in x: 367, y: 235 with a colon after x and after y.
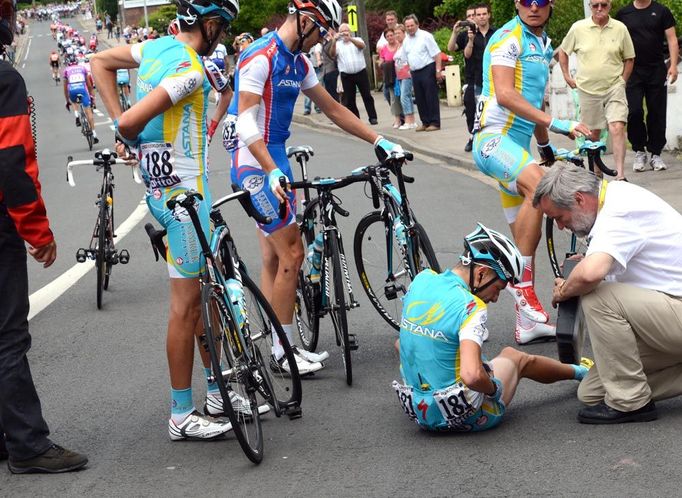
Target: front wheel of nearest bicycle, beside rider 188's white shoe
x: 220, y: 329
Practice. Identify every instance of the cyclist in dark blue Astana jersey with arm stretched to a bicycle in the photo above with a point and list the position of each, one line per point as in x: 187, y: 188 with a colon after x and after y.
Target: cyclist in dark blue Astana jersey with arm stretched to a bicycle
x: 270, y: 74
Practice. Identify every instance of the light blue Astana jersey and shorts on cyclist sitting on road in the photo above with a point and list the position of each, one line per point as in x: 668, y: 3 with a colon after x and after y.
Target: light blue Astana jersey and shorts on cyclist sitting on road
x: 438, y: 312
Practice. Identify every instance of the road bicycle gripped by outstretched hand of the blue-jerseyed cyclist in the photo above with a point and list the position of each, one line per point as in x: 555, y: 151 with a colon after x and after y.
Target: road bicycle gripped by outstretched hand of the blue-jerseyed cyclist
x: 391, y: 247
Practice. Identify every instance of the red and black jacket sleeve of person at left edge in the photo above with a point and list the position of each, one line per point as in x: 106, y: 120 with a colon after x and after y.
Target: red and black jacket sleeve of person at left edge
x: 19, y: 186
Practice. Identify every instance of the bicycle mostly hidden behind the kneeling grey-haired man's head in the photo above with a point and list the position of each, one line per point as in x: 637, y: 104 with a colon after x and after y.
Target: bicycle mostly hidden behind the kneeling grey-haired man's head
x: 555, y: 238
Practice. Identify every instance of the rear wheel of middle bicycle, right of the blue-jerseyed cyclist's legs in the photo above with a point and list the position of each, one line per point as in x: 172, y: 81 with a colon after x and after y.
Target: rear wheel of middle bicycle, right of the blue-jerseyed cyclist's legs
x: 307, y: 310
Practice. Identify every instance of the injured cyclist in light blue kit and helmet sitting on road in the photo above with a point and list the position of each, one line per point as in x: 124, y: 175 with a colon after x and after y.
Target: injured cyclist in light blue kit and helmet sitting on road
x: 447, y: 383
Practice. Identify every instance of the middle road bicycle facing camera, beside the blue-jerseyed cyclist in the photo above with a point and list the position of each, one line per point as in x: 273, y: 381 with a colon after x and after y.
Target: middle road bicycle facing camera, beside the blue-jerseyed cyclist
x: 333, y: 294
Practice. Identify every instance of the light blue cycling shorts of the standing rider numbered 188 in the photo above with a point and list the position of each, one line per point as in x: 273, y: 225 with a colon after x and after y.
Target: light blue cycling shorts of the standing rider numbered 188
x: 183, y: 255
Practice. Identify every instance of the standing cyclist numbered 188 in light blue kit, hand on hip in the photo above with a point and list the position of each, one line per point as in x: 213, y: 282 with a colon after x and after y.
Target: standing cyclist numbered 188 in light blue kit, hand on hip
x: 167, y: 129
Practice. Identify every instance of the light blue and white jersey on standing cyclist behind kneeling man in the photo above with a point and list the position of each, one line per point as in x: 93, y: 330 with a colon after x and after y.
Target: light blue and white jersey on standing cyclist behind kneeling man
x: 514, y: 45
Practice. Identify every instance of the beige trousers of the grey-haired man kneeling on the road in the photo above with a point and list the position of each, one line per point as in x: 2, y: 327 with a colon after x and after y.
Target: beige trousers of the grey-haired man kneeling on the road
x: 636, y: 337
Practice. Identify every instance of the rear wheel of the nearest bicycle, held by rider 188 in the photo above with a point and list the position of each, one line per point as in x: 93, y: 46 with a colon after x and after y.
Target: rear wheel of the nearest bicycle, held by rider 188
x: 283, y: 392
